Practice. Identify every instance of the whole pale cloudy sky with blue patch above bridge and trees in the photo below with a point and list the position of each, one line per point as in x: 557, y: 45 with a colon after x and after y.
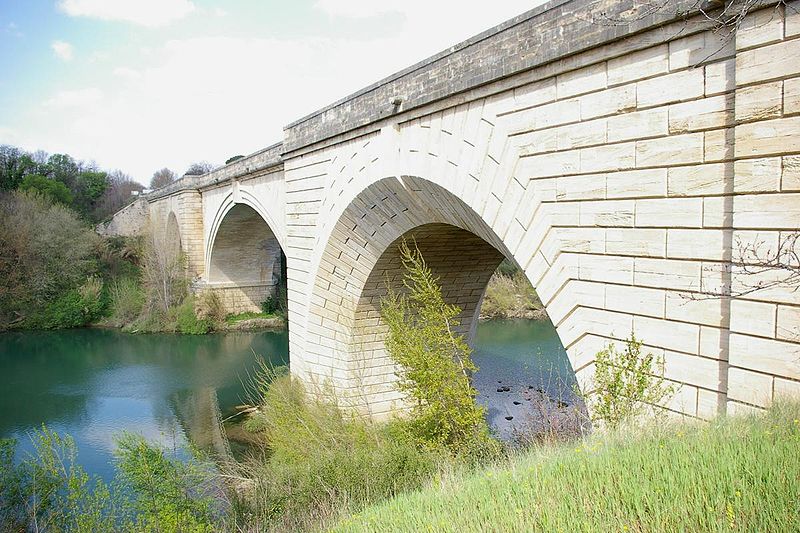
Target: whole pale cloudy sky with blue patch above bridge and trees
x: 138, y: 85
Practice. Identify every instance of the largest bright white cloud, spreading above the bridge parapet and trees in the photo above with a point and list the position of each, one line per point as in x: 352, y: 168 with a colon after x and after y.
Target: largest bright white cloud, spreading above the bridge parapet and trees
x: 208, y: 98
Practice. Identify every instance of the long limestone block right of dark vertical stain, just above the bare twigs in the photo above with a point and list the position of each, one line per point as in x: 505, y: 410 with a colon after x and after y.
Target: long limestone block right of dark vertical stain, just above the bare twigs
x: 767, y: 211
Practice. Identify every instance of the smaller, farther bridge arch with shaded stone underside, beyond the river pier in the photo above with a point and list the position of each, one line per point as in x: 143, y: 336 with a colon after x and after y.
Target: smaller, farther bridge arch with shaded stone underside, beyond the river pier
x: 245, y: 263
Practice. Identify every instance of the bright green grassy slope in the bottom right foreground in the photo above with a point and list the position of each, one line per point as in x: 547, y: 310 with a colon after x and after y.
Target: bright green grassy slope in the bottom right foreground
x: 731, y: 475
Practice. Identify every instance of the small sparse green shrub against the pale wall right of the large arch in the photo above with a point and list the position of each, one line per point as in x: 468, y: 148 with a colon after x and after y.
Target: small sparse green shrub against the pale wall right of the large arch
x: 626, y: 383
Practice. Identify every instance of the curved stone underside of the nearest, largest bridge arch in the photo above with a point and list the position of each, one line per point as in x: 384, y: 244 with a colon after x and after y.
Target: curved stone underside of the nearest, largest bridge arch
x: 346, y: 333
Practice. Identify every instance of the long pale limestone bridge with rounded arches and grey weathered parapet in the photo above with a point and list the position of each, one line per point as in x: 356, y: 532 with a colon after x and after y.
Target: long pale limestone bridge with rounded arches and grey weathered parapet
x: 627, y: 163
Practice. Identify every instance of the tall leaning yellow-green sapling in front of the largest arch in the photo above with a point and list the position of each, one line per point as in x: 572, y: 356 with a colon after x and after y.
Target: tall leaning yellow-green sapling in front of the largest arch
x: 435, y: 362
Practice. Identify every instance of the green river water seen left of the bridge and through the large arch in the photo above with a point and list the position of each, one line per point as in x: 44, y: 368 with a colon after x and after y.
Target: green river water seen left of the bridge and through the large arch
x: 94, y: 383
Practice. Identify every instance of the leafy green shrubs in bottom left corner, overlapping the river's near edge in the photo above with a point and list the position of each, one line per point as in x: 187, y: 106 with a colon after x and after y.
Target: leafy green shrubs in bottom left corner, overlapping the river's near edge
x: 153, y: 491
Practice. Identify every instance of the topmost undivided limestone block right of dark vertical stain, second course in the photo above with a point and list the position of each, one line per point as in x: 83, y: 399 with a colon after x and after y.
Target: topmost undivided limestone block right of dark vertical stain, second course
x: 771, y: 62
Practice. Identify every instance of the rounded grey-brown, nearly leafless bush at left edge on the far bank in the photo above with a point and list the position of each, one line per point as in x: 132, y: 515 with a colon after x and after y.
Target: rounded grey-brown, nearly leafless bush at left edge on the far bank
x: 45, y: 252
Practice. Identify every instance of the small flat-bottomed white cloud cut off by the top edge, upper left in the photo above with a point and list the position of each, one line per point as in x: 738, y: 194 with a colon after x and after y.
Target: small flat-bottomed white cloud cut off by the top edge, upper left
x: 151, y: 13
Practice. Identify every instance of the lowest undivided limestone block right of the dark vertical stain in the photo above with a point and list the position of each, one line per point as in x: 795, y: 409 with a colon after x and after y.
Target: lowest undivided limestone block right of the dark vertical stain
x: 769, y: 356
